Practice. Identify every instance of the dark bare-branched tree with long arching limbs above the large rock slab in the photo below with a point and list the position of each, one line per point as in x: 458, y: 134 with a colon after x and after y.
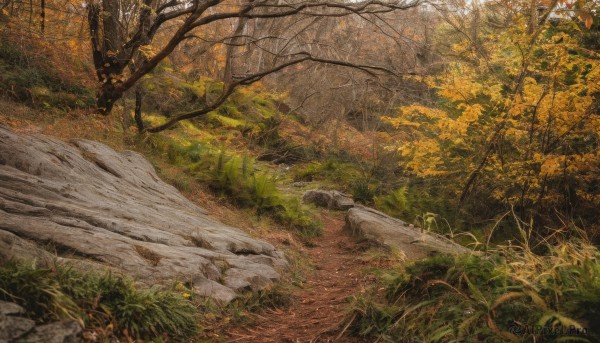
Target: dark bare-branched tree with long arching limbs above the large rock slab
x: 123, y: 36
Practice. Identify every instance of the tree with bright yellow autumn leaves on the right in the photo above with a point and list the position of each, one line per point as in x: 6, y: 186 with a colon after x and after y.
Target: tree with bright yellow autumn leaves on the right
x: 519, y: 125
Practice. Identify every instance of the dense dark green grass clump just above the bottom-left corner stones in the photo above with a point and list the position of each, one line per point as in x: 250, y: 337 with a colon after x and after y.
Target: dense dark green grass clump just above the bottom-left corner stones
x: 97, y: 300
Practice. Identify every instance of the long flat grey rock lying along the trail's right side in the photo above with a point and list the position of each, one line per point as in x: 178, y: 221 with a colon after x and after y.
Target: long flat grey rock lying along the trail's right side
x: 384, y: 230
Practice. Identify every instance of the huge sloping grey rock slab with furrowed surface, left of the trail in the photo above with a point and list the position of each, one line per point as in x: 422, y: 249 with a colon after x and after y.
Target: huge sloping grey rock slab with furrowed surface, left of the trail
x: 96, y: 207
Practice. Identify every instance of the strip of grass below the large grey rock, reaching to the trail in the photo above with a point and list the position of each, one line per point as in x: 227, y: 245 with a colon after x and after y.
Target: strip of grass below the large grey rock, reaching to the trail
x: 114, y: 307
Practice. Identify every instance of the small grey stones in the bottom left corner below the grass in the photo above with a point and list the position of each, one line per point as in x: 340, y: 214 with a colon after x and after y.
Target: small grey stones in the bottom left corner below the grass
x: 14, y: 328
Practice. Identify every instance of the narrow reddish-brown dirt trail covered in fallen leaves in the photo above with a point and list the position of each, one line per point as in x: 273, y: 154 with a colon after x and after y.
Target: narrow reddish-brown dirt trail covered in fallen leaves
x: 319, y: 308
